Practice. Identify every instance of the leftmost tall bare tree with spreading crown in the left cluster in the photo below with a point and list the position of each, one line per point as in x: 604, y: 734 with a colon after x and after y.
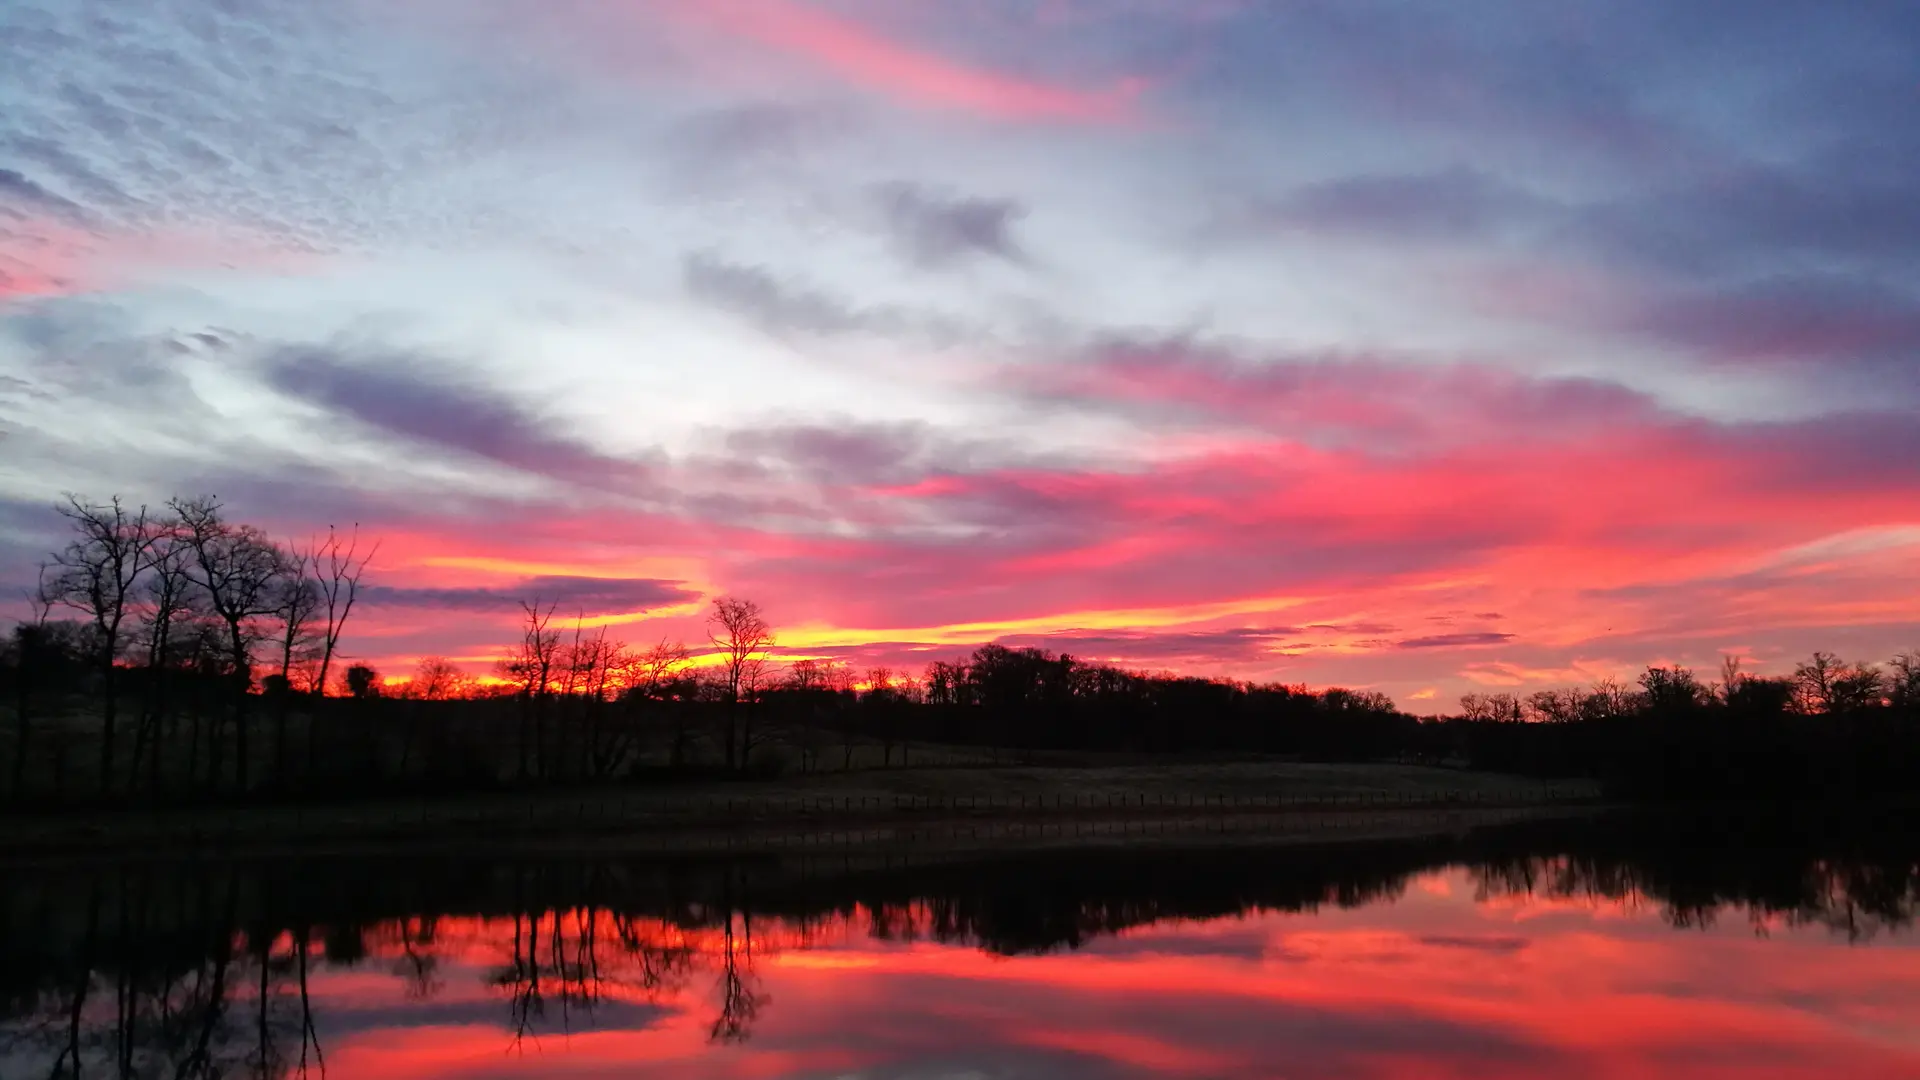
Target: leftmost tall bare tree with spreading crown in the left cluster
x: 97, y: 574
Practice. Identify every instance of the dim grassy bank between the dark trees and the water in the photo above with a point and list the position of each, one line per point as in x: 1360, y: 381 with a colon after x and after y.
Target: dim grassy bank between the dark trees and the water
x: 951, y: 808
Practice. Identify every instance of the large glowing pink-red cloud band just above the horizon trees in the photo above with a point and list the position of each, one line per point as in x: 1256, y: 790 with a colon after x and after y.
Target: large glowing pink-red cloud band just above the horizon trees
x: 1531, y: 531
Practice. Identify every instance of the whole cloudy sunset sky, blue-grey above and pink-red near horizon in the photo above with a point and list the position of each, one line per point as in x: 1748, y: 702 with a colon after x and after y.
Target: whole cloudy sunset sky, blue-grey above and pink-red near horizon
x: 1428, y: 349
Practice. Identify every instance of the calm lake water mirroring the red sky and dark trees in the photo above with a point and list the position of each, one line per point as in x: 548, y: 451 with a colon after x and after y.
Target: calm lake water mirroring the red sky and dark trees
x: 1587, y: 954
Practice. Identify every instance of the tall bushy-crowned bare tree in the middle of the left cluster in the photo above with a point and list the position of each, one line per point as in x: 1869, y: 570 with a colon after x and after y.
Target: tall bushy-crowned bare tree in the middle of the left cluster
x: 237, y: 570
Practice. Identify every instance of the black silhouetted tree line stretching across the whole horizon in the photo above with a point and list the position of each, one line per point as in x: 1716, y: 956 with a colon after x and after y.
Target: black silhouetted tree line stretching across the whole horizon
x: 201, y: 658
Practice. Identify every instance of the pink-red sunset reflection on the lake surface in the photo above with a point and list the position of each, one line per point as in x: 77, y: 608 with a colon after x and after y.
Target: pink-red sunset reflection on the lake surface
x: 1435, y: 985
